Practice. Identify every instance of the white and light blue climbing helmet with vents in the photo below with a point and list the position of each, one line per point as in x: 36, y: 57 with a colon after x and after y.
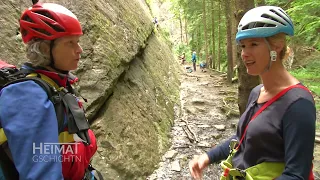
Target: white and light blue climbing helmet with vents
x: 264, y: 21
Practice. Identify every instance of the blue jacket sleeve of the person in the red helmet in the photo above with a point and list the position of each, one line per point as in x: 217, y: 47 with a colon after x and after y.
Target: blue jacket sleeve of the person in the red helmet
x: 26, y: 103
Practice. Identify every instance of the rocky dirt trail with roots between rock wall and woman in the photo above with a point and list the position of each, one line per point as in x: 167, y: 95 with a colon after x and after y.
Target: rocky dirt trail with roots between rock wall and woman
x: 201, y: 95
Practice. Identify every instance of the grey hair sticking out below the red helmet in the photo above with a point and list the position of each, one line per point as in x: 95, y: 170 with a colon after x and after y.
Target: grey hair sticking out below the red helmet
x: 36, y: 52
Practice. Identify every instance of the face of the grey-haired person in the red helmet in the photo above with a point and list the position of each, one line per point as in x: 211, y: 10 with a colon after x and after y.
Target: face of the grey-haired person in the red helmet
x: 66, y: 52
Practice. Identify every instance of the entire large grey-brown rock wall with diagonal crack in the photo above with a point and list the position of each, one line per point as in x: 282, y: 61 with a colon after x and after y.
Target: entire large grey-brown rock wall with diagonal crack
x: 127, y: 73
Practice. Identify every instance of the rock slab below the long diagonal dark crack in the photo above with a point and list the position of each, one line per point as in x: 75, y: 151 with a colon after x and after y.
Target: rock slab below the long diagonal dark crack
x: 132, y: 125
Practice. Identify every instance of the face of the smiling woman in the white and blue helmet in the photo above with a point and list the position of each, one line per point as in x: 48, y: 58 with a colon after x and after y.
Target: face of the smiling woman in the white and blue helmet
x: 255, y: 55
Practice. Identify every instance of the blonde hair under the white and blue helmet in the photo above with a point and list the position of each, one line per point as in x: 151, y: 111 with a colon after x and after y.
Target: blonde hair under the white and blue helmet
x: 280, y: 38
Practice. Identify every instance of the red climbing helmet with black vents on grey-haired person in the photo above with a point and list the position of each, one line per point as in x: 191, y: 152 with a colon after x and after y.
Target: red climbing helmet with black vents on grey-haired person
x: 48, y: 21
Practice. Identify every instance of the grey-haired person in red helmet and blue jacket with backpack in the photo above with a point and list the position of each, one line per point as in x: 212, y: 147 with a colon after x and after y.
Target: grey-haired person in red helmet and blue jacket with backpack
x: 28, y: 117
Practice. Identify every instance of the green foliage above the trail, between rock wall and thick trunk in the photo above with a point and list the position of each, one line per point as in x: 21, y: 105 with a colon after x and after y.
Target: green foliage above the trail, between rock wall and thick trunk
x: 192, y: 12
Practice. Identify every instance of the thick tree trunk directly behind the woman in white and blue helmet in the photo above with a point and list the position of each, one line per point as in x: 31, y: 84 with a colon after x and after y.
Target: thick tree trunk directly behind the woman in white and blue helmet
x: 246, y: 81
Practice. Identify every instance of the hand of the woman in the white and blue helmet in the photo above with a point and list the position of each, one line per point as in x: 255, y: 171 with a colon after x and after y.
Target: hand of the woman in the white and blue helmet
x: 197, y: 165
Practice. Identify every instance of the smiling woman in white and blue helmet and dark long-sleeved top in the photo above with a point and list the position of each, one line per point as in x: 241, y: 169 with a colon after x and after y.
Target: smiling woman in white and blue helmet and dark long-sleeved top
x: 275, y: 135
